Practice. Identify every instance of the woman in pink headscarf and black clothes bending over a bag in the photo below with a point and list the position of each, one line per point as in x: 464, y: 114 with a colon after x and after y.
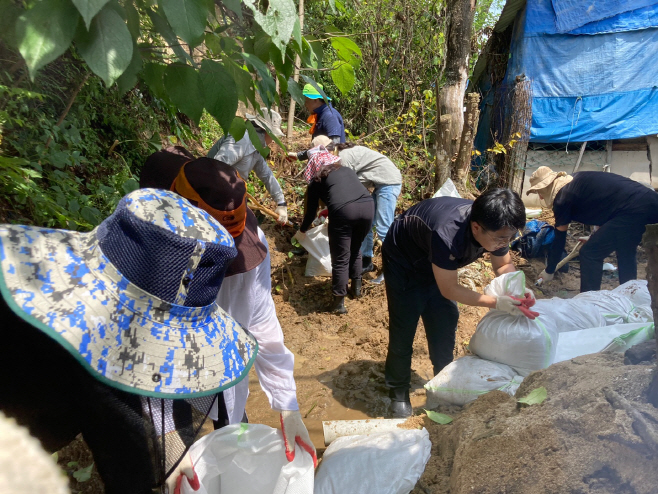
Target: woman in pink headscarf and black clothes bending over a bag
x: 351, y: 210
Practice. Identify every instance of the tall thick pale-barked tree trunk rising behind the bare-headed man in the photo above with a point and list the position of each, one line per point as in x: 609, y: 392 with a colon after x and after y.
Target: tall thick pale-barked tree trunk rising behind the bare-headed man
x: 450, y: 101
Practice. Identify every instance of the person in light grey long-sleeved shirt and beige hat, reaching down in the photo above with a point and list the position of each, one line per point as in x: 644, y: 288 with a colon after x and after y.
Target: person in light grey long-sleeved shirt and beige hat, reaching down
x: 244, y: 157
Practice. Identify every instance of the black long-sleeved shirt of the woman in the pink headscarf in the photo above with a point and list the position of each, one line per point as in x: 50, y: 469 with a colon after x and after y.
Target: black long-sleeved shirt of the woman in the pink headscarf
x: 338, y: 188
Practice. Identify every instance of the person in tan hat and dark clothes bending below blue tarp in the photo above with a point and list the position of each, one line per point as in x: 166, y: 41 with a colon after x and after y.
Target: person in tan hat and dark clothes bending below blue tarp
x: 619, y: 206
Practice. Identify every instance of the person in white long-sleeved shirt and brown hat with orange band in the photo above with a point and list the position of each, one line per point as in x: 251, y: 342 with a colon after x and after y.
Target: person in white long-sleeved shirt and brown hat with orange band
x: 246, y: 291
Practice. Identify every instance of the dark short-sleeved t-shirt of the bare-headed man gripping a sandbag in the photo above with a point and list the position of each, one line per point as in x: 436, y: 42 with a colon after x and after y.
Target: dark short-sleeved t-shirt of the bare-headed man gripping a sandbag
x: 435, y: 231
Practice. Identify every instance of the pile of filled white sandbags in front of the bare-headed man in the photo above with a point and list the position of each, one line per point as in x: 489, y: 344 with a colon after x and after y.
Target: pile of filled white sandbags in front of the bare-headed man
x: 508, y: 348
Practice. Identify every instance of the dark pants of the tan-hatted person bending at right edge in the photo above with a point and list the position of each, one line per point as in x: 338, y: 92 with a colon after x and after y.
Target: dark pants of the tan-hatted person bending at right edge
x: 622, y: 235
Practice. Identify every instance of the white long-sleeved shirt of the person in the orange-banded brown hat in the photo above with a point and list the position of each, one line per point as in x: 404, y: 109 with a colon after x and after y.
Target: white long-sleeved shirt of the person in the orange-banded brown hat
x: 247, y: 297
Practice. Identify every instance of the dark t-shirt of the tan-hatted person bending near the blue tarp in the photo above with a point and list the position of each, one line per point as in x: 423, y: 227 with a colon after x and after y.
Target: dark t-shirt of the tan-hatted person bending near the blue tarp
x: 593, y: 198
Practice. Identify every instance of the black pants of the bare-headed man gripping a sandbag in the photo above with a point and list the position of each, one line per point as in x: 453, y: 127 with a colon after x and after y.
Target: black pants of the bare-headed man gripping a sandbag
x: 411, y: 297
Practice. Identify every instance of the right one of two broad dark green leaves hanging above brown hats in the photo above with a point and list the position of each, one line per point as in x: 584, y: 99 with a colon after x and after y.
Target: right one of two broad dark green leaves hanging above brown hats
x: 220, y: 93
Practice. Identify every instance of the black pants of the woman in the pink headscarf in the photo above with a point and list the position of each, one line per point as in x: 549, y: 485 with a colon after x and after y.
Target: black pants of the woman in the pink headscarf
x: 347, y: 228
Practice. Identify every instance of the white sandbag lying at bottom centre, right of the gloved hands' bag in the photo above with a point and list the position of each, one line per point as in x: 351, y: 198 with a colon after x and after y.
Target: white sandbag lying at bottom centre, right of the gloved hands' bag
x: 382, y: 463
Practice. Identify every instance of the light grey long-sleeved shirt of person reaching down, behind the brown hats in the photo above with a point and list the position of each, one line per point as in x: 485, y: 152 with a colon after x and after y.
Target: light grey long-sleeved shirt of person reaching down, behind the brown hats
x: 244, y: 157
